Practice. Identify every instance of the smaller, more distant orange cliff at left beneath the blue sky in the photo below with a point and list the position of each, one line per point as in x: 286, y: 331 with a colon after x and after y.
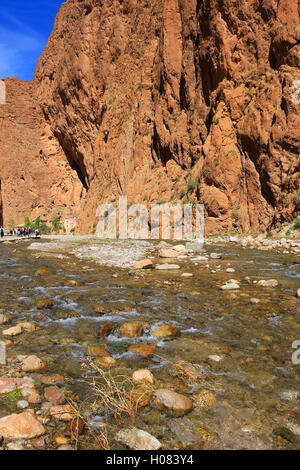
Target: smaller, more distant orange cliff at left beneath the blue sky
x: 36, y: 179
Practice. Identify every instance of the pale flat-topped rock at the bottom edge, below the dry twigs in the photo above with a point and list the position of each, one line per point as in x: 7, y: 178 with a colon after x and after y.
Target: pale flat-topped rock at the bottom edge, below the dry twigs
x: 137, y: 439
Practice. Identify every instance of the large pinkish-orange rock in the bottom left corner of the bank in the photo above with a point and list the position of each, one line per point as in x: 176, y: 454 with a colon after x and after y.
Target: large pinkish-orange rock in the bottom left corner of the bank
x: 20, y: 426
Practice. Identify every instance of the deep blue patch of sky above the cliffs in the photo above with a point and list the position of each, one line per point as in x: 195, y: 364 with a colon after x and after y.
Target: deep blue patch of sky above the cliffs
x: 25, y: 26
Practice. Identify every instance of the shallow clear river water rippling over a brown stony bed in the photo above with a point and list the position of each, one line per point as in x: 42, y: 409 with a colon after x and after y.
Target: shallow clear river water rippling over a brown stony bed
x: 254, y: 341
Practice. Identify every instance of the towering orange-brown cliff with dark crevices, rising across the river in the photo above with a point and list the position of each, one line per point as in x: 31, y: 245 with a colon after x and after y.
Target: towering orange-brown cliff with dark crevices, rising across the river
x: 181, y: 99
